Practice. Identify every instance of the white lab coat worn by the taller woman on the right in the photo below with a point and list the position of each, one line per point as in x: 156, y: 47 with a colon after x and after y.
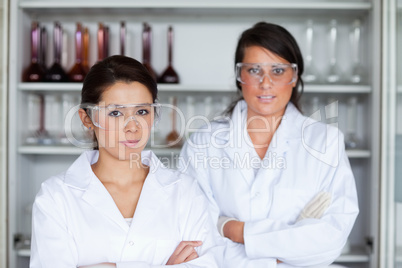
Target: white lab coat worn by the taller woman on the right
x: 304, y: 158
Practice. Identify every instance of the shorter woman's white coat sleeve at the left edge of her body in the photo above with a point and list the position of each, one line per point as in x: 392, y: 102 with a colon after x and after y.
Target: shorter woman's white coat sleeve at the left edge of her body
x: 51, y: 243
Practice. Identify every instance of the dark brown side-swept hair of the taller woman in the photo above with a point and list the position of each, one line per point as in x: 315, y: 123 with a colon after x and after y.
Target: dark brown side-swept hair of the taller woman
x: 279, y: 41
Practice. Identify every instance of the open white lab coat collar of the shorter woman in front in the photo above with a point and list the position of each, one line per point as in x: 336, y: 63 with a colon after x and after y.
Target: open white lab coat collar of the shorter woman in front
x: 154, y: 193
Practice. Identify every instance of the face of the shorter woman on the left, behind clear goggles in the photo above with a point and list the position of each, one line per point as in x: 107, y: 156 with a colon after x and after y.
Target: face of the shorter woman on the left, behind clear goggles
x: 130, y: 134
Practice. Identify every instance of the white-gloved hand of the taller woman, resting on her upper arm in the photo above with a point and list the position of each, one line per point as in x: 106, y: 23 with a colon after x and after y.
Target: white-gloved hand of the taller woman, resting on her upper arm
x: 316, y: 207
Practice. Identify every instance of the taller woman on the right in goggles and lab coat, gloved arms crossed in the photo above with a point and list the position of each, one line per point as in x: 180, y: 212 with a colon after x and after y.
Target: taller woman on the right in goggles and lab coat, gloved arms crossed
x: 284, y: 194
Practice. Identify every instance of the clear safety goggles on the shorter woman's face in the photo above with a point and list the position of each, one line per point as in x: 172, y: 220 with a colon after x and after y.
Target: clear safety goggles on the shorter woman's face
x: 116, y: 117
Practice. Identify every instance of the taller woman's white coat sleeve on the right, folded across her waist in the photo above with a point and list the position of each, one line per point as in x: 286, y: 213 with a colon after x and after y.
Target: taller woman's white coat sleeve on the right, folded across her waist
x: 310, y: 242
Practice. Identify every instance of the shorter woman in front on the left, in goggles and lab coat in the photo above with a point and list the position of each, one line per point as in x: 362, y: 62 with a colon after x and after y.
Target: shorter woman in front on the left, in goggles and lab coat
x: 117, y: 205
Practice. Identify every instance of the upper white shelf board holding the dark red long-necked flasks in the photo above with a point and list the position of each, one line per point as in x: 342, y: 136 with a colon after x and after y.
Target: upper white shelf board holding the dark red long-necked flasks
x: 76, y: 87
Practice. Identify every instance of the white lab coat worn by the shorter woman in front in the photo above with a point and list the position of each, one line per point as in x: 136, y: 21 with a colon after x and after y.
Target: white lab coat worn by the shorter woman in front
x: 76, y: 222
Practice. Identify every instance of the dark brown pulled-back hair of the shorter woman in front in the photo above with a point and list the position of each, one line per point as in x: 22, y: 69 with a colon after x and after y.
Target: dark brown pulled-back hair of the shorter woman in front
x: 111, y: 70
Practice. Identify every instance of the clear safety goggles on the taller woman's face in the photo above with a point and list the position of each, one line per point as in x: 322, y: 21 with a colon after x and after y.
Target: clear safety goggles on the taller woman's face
x: 278, y: 73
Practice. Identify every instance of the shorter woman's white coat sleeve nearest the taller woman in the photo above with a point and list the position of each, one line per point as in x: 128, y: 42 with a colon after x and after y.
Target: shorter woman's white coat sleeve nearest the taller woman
x: 196, y: 224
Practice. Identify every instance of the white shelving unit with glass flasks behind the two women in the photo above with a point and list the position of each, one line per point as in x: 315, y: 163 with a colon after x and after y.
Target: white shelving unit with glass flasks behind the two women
x: 206, y: 33
